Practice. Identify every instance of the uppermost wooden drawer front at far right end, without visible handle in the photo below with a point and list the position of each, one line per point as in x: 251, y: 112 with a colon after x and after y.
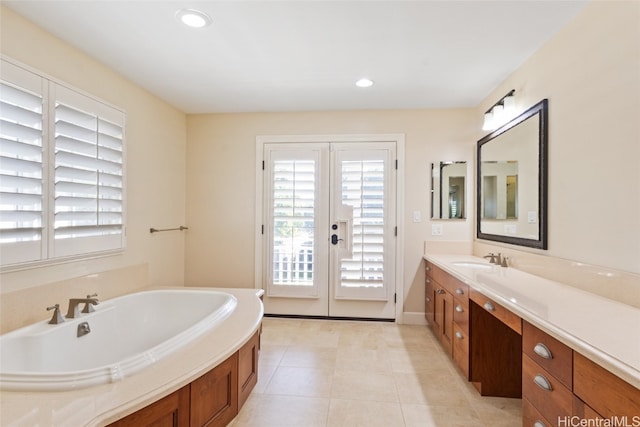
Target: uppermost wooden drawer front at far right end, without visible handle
x: 603, y: 391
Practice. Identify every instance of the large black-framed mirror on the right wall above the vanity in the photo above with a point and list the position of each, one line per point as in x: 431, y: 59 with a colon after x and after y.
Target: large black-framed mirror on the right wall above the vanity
x: 512, y: 181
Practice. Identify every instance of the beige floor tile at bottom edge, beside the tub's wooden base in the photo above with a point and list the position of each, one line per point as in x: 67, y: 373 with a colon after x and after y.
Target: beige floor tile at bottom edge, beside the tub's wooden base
x: 283, y: 411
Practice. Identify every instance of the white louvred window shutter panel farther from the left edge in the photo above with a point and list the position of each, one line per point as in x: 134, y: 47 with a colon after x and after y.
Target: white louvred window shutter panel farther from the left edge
x: 89, y: 161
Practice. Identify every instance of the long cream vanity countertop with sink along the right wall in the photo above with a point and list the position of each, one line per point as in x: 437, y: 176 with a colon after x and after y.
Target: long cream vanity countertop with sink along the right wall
x: 602, y: 329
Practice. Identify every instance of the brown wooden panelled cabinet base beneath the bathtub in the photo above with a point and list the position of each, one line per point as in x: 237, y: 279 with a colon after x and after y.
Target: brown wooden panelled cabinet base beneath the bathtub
x: 211, y: 400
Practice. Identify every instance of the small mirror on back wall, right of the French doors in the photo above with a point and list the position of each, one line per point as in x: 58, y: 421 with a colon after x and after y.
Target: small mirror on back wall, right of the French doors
x: 448, y: 195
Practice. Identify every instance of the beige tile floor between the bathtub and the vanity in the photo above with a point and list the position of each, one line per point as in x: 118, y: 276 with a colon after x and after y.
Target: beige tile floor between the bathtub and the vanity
x: 336, y: 373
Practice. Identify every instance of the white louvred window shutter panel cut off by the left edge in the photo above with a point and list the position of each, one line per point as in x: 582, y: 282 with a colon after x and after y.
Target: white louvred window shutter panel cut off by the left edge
x: 21, y: 165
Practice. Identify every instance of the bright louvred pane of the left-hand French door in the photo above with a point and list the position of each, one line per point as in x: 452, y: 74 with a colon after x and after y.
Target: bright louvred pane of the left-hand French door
x: 293, y: 184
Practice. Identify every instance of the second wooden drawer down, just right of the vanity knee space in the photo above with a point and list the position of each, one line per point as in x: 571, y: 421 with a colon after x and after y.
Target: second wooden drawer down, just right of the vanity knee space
x: 548, y: 395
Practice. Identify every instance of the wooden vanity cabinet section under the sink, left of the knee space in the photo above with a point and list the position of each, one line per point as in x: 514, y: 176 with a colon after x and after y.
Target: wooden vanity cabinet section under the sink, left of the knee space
x: 447, y: 311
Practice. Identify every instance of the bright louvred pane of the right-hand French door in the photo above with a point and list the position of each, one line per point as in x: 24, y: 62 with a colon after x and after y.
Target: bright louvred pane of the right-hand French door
x: 363, y: 190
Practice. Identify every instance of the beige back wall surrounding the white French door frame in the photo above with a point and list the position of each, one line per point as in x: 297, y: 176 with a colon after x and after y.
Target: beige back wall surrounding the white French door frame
x: 221, y: 183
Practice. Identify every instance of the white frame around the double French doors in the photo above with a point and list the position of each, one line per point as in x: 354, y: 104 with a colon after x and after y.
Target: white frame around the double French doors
x: 259, y: 221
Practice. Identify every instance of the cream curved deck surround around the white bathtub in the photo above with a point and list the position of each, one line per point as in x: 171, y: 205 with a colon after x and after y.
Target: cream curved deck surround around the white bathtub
x: 103, y: 404
